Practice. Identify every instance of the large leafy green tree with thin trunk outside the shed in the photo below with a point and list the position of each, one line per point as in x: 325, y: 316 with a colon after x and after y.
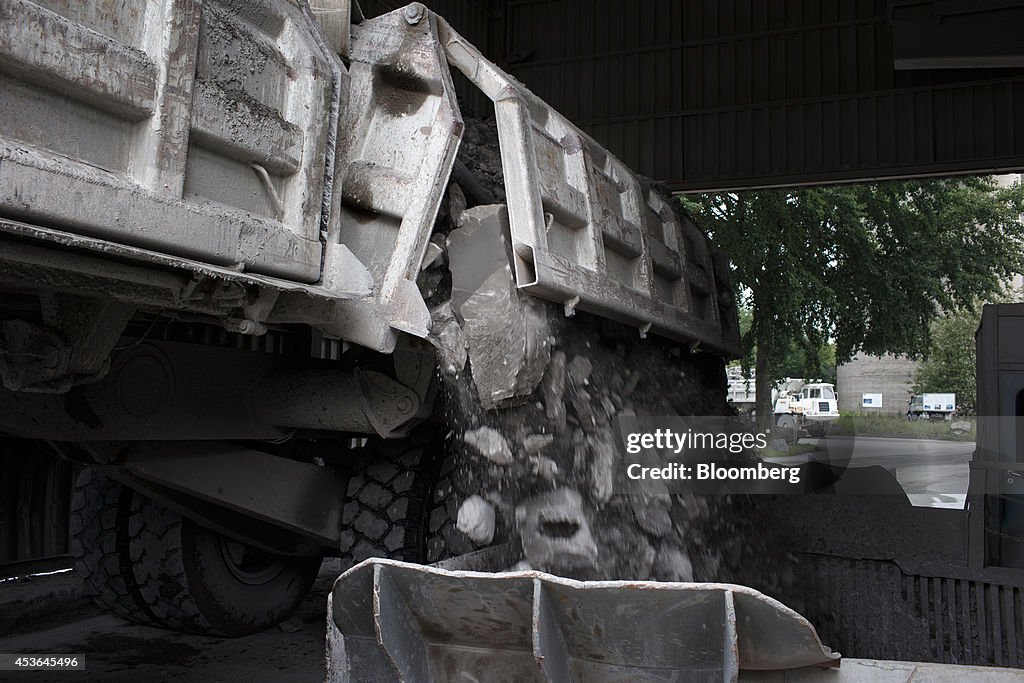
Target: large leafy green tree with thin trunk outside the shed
x: 868, y: 268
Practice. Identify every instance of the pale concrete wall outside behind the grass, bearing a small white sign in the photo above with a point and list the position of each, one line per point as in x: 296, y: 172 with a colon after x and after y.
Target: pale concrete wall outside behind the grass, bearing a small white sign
x: 890, y: 376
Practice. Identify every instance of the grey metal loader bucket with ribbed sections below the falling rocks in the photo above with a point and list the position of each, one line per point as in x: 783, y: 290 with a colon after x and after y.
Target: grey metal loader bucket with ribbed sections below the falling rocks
x: 396, y: 622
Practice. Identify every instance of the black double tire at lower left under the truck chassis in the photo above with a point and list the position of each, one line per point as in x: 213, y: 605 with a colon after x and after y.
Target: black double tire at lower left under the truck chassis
x: 162, y: 569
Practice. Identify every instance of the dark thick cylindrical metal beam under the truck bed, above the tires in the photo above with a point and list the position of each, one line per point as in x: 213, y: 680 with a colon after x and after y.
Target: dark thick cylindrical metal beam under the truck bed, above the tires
x: 168, y: 391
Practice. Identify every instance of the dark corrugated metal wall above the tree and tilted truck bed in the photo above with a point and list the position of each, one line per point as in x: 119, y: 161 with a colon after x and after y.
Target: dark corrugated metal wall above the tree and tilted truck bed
x: 734, y: 94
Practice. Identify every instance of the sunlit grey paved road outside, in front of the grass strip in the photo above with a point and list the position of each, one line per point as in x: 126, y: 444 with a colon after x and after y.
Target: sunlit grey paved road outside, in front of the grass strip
x: 933, y: 474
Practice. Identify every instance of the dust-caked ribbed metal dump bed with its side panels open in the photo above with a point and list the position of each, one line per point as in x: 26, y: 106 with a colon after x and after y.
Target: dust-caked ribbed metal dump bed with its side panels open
x: 222, y: 141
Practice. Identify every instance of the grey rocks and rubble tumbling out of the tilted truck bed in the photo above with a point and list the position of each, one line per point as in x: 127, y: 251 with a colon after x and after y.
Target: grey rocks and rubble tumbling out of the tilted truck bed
x: 536, y: 465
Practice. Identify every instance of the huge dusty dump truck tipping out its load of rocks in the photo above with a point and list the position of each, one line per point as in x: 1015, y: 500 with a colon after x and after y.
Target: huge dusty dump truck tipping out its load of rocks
x: 249, y: 285
